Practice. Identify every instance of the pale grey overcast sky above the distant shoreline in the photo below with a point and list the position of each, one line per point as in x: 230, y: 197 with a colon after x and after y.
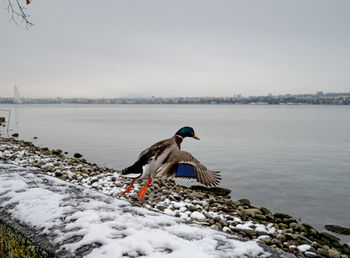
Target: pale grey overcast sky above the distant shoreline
x: 176, y: 48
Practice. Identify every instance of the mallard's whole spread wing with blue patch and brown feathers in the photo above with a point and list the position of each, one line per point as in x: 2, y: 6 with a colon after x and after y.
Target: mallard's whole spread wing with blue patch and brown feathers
x: 181, y: 164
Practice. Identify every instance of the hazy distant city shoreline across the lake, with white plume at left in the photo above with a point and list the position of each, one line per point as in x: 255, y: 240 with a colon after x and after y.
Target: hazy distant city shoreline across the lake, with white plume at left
x: 320, y: 98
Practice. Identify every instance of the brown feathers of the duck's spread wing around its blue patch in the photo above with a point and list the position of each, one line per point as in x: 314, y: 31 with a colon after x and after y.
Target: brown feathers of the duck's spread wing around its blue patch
x: 204, y: 175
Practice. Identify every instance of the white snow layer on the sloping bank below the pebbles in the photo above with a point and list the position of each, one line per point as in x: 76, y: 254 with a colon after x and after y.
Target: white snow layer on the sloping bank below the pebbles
x: 82, y: 222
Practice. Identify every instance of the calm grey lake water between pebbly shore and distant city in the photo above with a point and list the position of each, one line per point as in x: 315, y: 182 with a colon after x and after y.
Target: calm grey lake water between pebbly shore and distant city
x: 293, y: 159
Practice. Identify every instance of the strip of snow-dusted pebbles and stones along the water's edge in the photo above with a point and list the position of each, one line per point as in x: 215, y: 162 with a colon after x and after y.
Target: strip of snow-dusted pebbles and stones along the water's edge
x: 210, y: 207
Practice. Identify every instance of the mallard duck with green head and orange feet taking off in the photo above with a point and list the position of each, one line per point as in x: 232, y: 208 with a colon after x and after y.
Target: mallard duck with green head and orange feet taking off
x: 165, y: 159
